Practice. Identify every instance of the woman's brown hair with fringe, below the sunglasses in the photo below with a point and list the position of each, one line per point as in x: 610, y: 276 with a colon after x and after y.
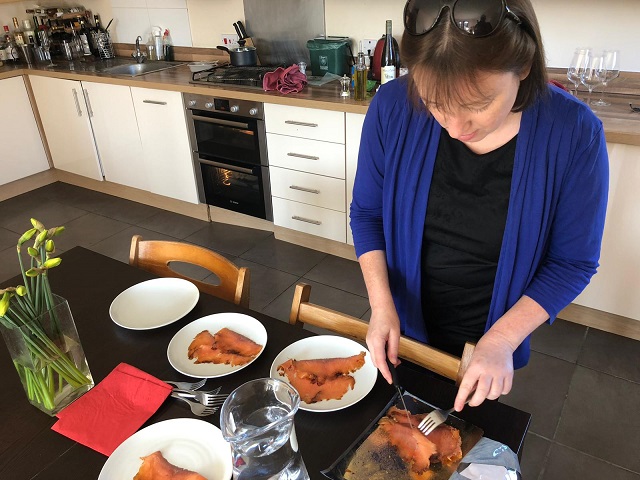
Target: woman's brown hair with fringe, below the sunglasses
x: 445, y: 64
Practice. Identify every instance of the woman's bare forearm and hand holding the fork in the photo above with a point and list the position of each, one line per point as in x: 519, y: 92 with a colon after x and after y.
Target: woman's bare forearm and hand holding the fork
x: 490, y: 372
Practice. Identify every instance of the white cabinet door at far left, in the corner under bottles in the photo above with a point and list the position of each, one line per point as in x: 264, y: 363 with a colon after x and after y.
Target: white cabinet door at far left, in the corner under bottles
x: 22, y: 150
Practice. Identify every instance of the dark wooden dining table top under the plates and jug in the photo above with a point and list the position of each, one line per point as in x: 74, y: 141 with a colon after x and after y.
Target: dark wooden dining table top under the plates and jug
x: 29, y: 449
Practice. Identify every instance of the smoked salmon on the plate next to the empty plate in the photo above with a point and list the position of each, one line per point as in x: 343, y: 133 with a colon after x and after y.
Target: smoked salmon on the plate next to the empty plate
x: 225, y: 346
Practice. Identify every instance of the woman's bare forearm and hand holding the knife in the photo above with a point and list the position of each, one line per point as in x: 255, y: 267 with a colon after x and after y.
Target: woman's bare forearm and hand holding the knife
x: 383, y: 334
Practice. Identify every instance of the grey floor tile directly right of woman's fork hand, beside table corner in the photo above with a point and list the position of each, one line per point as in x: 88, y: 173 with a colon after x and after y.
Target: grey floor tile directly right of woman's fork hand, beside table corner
x: 540, y: 388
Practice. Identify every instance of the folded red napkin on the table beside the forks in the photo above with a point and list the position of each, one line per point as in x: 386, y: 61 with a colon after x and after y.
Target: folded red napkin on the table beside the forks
x: 113, y: 410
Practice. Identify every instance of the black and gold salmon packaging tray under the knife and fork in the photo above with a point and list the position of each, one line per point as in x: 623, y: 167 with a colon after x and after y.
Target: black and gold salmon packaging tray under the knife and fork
x: 386, y: 463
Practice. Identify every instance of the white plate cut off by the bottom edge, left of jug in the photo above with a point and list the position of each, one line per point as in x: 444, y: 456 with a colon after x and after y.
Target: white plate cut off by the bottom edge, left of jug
x: 185, y: 442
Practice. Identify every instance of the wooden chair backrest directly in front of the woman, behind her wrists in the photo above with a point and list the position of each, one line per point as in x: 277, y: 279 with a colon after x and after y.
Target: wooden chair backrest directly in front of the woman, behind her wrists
x: 442, y: 363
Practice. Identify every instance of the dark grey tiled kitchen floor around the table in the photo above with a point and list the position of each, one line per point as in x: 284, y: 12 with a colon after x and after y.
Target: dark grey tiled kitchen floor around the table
x: 582, y: 385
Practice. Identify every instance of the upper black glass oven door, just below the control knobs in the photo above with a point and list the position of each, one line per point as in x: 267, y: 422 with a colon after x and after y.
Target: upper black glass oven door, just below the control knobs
x: 234, y: 139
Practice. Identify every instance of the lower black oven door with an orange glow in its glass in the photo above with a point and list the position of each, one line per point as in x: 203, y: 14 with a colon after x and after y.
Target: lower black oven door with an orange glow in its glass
x: 243, y: 189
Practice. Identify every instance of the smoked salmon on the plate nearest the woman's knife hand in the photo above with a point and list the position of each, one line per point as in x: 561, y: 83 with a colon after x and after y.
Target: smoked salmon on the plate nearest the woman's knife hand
x: 323, y: 378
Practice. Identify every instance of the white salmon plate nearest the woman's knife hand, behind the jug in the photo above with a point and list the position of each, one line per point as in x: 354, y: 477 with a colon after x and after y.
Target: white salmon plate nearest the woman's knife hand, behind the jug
x: 330, y: 346
